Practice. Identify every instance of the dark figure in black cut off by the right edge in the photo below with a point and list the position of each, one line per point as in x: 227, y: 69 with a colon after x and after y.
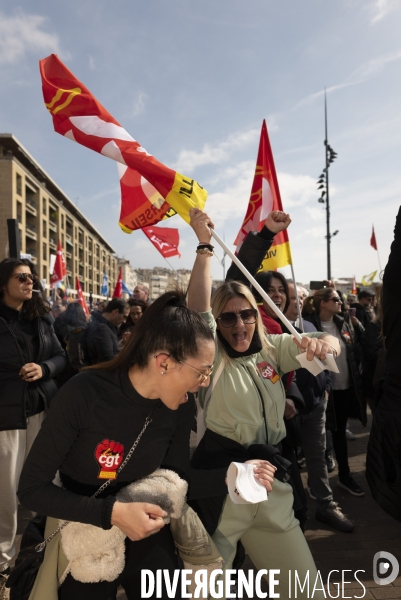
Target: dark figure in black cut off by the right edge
x: 383, y: 464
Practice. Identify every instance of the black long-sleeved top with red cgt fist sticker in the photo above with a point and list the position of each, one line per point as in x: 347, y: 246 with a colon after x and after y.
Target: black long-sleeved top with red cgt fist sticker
x: 92, y: 423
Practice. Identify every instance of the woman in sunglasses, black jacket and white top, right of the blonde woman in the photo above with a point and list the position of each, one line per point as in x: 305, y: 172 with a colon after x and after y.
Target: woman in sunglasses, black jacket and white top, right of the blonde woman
x: 323, y: 309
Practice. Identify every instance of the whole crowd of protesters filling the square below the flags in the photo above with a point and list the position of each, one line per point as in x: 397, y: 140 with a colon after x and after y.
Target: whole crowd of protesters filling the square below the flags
x: 134, y: 366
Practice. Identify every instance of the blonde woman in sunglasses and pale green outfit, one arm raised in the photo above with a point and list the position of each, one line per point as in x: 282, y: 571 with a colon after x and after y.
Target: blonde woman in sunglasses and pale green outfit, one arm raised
x: 243, y: 412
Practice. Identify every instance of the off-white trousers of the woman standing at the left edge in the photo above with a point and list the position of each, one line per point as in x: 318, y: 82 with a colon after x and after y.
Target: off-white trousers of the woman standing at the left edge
x: 14, y: 447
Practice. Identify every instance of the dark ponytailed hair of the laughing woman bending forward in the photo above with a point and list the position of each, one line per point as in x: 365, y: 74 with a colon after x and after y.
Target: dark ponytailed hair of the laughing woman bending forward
x: 166, y: 325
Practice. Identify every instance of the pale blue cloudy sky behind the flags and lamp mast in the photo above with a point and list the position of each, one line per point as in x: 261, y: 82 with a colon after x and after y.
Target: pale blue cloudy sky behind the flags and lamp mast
x: 192, y: 82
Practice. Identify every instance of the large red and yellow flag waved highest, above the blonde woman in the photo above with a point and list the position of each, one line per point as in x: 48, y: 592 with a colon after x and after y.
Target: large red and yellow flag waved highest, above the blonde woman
x: 80, y: 117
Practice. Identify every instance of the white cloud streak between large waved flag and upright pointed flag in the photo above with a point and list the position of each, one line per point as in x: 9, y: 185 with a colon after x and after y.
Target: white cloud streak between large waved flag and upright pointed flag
x: 189, y: 160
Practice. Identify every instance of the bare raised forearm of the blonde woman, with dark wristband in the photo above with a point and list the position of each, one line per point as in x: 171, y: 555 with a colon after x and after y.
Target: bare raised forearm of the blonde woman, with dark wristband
x: 200, y: 285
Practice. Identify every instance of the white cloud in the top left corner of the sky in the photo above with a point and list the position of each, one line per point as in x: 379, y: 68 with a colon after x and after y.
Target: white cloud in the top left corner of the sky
x: 23, y: 33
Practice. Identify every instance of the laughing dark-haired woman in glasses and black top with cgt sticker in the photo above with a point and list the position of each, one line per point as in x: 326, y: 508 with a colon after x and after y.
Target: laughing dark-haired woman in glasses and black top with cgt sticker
x: 94, y: 421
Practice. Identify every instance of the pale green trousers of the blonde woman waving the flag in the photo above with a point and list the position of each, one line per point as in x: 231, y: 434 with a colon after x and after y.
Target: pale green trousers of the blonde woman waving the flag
x: 272, y: 538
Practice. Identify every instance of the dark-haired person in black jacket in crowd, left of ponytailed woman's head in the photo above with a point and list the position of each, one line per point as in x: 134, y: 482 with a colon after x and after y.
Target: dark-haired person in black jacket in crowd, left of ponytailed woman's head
x: 102, y: 335
